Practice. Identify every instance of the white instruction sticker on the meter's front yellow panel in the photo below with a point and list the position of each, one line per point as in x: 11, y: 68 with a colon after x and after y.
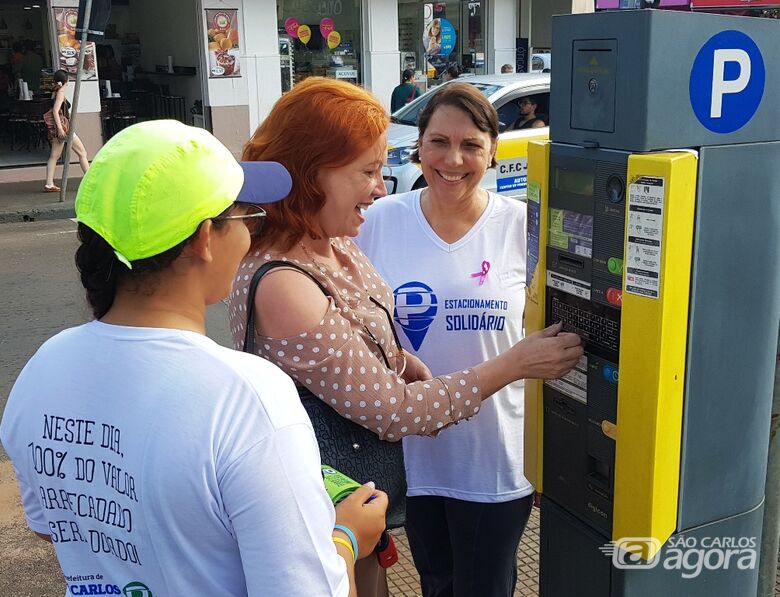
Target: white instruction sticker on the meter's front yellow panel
x: 645, y: 228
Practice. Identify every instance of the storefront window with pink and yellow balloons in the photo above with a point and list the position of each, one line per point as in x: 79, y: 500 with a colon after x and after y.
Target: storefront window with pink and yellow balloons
x: 319, y: 38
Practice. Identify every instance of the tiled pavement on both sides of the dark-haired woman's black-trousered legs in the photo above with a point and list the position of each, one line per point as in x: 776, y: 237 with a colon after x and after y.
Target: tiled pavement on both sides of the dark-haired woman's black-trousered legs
x: 404, y: 582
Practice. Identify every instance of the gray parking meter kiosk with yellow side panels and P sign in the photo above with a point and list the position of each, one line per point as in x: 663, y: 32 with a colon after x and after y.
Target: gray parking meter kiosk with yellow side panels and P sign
x: 654, y: 233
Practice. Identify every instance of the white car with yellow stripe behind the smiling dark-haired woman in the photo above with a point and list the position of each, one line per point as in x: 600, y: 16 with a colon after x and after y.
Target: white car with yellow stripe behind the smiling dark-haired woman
x: 504, y: 92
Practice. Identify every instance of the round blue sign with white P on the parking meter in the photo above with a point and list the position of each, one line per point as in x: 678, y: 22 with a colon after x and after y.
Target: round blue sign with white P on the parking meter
x: 727, y: 81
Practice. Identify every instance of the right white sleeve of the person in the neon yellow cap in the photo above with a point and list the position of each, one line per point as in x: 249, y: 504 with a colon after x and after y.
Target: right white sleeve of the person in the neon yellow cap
x: 283, y: 518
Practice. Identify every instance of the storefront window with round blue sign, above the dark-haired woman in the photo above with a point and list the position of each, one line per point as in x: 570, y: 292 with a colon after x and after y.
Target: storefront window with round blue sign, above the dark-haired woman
x: 433, y: 36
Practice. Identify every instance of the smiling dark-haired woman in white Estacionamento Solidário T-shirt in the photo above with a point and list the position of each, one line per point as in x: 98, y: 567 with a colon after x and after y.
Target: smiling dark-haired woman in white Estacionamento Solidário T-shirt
x: 455, y: 256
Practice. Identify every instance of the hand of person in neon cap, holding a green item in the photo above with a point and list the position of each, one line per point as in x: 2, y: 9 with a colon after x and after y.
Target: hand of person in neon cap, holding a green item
x: 363, y: 517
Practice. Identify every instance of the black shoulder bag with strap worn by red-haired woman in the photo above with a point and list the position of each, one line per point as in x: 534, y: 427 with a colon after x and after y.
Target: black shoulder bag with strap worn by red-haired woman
x: 344, y: 445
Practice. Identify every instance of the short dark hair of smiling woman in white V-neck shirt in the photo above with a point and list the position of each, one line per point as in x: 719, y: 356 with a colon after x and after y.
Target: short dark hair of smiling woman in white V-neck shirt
x: 463, y: 97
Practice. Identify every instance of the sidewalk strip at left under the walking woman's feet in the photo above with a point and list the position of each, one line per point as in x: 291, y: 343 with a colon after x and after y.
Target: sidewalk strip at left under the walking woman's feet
x: 26, y: 201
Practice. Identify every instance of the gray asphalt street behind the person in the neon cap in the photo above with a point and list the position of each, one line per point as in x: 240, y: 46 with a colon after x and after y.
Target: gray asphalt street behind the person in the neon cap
x: 39, y: 296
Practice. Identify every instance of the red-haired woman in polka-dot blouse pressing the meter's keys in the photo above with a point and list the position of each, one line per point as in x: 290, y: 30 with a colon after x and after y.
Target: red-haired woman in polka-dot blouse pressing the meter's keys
x: 325, y: 316
